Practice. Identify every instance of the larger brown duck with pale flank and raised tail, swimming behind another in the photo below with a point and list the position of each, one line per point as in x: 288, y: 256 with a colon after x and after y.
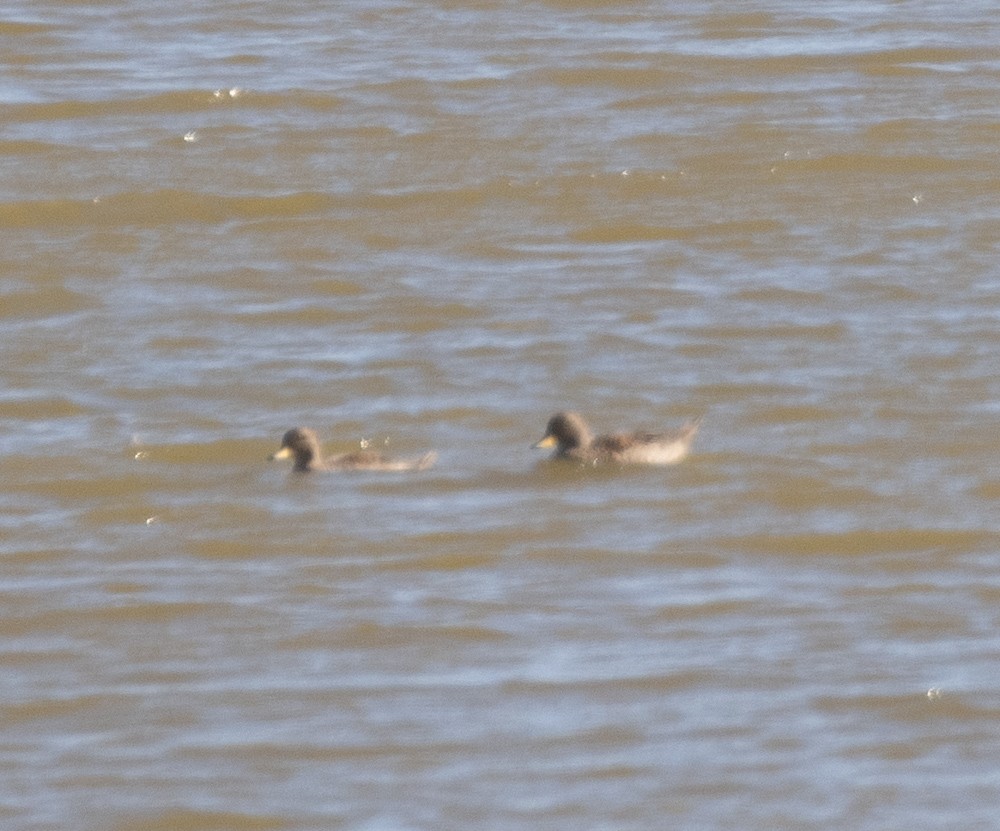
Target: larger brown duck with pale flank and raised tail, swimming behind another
x: 572, y: 439
